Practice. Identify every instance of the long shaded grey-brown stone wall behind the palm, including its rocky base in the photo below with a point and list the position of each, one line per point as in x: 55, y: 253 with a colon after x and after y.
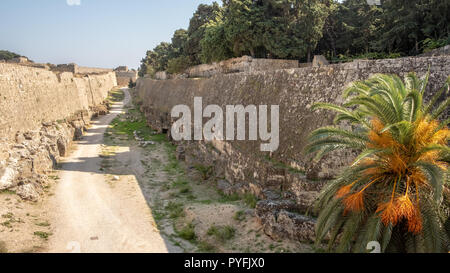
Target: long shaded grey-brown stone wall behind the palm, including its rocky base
x: 279, y: 175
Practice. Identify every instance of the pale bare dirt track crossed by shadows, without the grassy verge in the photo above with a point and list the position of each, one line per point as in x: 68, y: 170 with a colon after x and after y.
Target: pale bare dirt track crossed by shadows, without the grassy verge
x: 91, y: 216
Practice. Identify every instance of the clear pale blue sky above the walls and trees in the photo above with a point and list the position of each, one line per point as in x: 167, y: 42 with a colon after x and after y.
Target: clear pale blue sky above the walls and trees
x: 96, y: 33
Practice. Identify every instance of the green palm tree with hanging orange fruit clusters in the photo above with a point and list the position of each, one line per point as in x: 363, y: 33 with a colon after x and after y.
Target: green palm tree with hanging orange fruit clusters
x: 396, y: 192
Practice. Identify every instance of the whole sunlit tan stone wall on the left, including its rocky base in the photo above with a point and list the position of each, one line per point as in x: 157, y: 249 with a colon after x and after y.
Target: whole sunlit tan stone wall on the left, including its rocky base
x: 41, y: 112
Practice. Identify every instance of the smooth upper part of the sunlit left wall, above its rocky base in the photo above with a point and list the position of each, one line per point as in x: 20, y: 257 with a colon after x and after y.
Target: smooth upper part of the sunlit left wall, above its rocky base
x: 30, y: 96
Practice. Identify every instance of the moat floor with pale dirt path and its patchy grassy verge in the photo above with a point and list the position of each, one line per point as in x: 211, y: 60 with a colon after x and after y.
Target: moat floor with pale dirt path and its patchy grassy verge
x: 123, y: 190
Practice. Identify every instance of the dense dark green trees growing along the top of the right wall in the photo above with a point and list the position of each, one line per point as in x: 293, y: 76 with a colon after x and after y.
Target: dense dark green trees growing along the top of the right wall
x: 297, y: 29
